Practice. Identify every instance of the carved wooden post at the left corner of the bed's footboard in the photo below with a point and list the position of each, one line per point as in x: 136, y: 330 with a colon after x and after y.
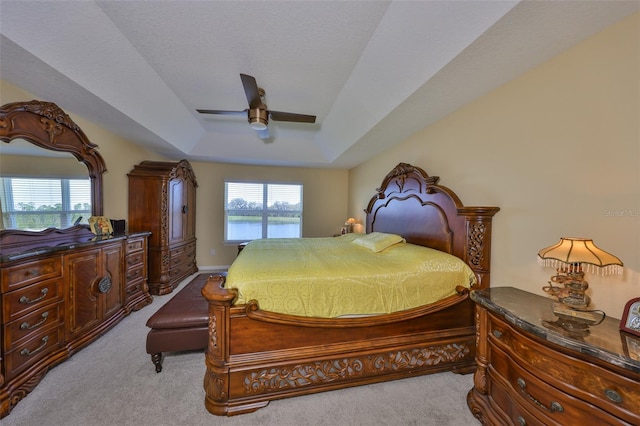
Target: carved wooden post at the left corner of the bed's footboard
x: 216, y: 379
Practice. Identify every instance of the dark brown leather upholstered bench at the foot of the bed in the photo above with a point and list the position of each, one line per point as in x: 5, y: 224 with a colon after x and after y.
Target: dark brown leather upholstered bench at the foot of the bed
x: 181, y: 324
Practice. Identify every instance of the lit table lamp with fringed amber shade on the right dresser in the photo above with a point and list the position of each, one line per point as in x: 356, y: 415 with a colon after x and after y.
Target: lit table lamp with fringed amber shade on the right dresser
x: 572, y: 257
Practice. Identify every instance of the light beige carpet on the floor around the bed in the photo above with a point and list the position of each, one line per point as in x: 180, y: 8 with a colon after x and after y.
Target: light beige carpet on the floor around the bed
x: 113, y: 382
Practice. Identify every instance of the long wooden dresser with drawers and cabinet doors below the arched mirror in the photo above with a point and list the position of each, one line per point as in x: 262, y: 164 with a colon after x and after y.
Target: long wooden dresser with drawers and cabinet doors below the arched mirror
x: 60, y: 298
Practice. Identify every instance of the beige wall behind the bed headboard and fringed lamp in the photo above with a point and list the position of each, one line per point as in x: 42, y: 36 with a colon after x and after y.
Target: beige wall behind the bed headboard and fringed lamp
x: 558, y: 150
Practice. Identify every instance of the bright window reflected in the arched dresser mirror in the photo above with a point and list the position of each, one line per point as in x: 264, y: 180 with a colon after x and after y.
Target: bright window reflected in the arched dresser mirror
x: 39, y: 203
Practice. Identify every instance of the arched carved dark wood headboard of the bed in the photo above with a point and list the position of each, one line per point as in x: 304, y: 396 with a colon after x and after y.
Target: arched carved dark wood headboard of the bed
x: 412, y: 204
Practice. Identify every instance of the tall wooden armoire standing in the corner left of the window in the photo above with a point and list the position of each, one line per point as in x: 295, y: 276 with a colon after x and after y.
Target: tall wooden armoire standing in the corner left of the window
x: 162, y: 199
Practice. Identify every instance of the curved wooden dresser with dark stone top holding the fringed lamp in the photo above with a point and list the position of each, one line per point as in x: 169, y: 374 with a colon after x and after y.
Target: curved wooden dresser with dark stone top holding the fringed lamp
x: 532, y: 371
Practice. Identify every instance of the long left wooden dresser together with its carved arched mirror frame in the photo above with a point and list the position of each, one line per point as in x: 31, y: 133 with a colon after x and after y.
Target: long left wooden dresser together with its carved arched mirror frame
x: 60, y: 288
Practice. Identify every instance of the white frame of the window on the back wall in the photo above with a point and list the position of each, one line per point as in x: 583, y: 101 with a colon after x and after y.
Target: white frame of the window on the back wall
x: 264, y: 211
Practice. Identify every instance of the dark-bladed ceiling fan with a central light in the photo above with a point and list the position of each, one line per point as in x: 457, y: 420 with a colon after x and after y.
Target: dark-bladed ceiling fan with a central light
x: 257, y: 114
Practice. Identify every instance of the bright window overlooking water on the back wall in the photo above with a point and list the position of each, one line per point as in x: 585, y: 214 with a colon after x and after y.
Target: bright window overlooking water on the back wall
x: 262, y: 210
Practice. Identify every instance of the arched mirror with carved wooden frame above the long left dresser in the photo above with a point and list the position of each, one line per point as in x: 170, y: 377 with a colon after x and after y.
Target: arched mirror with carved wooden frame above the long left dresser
x: 29, y: 128
